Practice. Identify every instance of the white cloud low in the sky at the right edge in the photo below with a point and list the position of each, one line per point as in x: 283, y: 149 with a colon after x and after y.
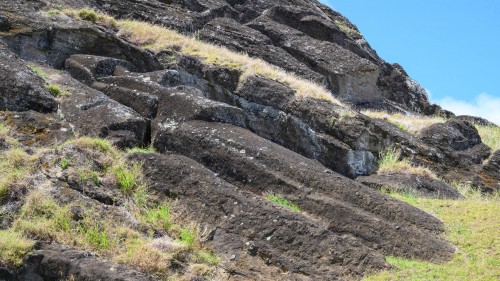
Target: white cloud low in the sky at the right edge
x: 484, y: 105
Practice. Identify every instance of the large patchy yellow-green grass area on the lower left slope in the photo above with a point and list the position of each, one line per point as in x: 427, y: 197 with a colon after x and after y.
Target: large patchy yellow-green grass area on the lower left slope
x: 147, y: 237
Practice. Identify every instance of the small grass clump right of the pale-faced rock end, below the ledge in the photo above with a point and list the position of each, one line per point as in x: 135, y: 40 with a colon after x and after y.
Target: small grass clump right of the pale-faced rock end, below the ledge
x: 391, y: 162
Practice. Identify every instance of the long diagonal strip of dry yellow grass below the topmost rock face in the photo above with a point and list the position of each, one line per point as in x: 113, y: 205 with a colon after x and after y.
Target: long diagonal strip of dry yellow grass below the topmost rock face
x: 158, y: 38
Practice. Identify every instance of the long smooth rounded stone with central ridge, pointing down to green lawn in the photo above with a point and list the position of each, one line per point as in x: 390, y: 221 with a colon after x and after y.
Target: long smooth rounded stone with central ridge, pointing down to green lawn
x: 260, y: 166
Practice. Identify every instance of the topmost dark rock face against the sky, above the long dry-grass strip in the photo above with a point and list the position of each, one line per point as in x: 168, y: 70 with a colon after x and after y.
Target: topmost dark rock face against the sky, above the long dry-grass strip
x: 304, y: 37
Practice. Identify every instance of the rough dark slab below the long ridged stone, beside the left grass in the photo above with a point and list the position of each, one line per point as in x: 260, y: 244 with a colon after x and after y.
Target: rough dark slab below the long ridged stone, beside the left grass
x: 282, y: 239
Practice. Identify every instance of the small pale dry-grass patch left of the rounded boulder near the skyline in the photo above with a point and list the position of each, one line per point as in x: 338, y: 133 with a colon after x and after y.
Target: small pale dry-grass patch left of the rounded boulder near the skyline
x: 410, y: 123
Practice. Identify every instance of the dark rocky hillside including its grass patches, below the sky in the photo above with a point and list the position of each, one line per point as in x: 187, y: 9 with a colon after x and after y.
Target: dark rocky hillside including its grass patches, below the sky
x: 210, y: 140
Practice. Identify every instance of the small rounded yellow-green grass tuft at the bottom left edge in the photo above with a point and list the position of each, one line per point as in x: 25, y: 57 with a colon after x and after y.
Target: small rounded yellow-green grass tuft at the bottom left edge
x: 13, y: 248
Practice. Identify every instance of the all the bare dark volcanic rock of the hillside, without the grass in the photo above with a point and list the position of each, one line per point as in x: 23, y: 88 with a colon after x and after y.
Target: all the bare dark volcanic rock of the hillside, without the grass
x: 224, y: 141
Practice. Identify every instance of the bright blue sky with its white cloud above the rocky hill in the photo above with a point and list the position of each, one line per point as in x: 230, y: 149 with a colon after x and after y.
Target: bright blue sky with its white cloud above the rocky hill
x: 451, y: 47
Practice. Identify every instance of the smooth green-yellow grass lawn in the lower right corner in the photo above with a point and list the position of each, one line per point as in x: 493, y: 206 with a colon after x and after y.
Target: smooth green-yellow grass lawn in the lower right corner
x: 472, y: 225
